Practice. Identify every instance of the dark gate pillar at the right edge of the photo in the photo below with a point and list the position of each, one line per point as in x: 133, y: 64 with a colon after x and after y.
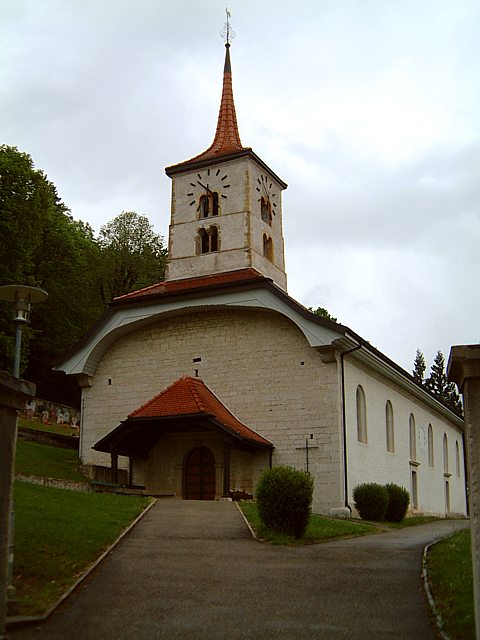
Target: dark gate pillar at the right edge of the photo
x: 464, y: 369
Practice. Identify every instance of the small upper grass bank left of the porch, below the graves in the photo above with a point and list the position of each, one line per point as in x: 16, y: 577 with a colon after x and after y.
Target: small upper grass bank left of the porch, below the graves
x: 42, y: 460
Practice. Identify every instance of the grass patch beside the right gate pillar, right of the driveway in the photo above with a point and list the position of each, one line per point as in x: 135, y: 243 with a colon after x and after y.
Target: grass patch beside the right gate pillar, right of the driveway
x: 451, y: 583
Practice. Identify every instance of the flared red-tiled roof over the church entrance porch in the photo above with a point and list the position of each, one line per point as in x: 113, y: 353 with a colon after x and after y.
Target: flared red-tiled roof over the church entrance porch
x: 191, y: 397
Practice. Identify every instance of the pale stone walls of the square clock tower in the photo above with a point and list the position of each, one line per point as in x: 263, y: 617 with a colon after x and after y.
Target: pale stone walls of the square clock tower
x: 239, y: 223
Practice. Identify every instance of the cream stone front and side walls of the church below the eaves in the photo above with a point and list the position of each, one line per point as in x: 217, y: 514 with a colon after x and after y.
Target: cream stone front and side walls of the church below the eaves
x: 261, y: 366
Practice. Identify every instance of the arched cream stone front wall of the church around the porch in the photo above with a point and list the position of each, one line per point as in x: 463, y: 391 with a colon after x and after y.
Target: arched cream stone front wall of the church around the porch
x: 259, y: 365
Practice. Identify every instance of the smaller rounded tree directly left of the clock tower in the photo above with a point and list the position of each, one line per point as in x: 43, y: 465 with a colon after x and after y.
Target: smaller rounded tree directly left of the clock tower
x: 133, y: 255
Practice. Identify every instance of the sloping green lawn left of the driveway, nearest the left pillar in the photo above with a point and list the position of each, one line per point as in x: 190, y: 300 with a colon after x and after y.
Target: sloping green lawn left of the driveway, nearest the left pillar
x: 58, y: 534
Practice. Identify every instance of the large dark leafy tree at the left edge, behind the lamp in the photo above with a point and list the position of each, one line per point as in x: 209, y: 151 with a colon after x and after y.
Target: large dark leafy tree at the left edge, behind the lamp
x: 41, y: 245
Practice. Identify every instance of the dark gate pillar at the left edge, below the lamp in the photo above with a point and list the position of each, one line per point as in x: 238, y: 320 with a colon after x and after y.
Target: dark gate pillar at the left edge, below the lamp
x: 13, y: 395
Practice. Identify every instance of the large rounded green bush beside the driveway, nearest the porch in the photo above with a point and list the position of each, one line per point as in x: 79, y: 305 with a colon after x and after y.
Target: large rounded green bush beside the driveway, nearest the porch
x: 284, y: 498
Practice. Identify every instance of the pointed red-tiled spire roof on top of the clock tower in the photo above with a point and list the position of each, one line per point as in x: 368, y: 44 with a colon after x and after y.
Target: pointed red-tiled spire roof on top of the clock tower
x: 227, y: 138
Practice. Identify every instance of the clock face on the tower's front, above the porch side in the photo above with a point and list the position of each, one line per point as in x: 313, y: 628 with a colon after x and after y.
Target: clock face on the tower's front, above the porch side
x: 207, y: 189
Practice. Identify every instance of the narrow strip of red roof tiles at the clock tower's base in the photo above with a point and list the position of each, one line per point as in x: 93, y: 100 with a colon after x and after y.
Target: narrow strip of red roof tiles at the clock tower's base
x: 186, y: 284
